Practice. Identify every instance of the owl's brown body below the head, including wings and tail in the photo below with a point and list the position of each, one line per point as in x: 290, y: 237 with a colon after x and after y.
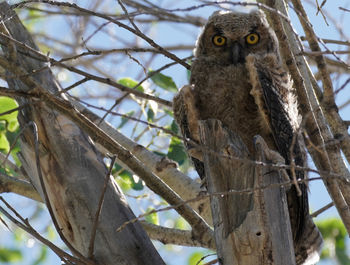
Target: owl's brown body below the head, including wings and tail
x: 254, y: 98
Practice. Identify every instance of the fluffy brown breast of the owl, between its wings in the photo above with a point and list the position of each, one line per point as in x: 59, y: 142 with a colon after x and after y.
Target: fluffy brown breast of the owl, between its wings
x: 223, y: 93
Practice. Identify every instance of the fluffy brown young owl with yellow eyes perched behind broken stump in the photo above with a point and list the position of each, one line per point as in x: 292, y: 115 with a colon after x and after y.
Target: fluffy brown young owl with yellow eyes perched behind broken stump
x: 237, y: 77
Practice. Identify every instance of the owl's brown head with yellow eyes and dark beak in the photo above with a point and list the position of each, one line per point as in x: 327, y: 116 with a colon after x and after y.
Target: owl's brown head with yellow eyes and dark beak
x: 231, y: 36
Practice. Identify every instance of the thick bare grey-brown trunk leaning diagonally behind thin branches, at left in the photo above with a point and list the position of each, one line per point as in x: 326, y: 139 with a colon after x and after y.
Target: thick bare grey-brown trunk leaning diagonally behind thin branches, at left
x: 73, y: 170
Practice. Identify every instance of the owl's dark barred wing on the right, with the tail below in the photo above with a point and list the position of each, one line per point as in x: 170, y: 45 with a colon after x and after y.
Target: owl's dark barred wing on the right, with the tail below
x: 280, y: 110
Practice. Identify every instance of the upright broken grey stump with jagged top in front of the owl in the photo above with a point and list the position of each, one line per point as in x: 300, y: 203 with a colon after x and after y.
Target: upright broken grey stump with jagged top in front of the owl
x: 251, y: 224
